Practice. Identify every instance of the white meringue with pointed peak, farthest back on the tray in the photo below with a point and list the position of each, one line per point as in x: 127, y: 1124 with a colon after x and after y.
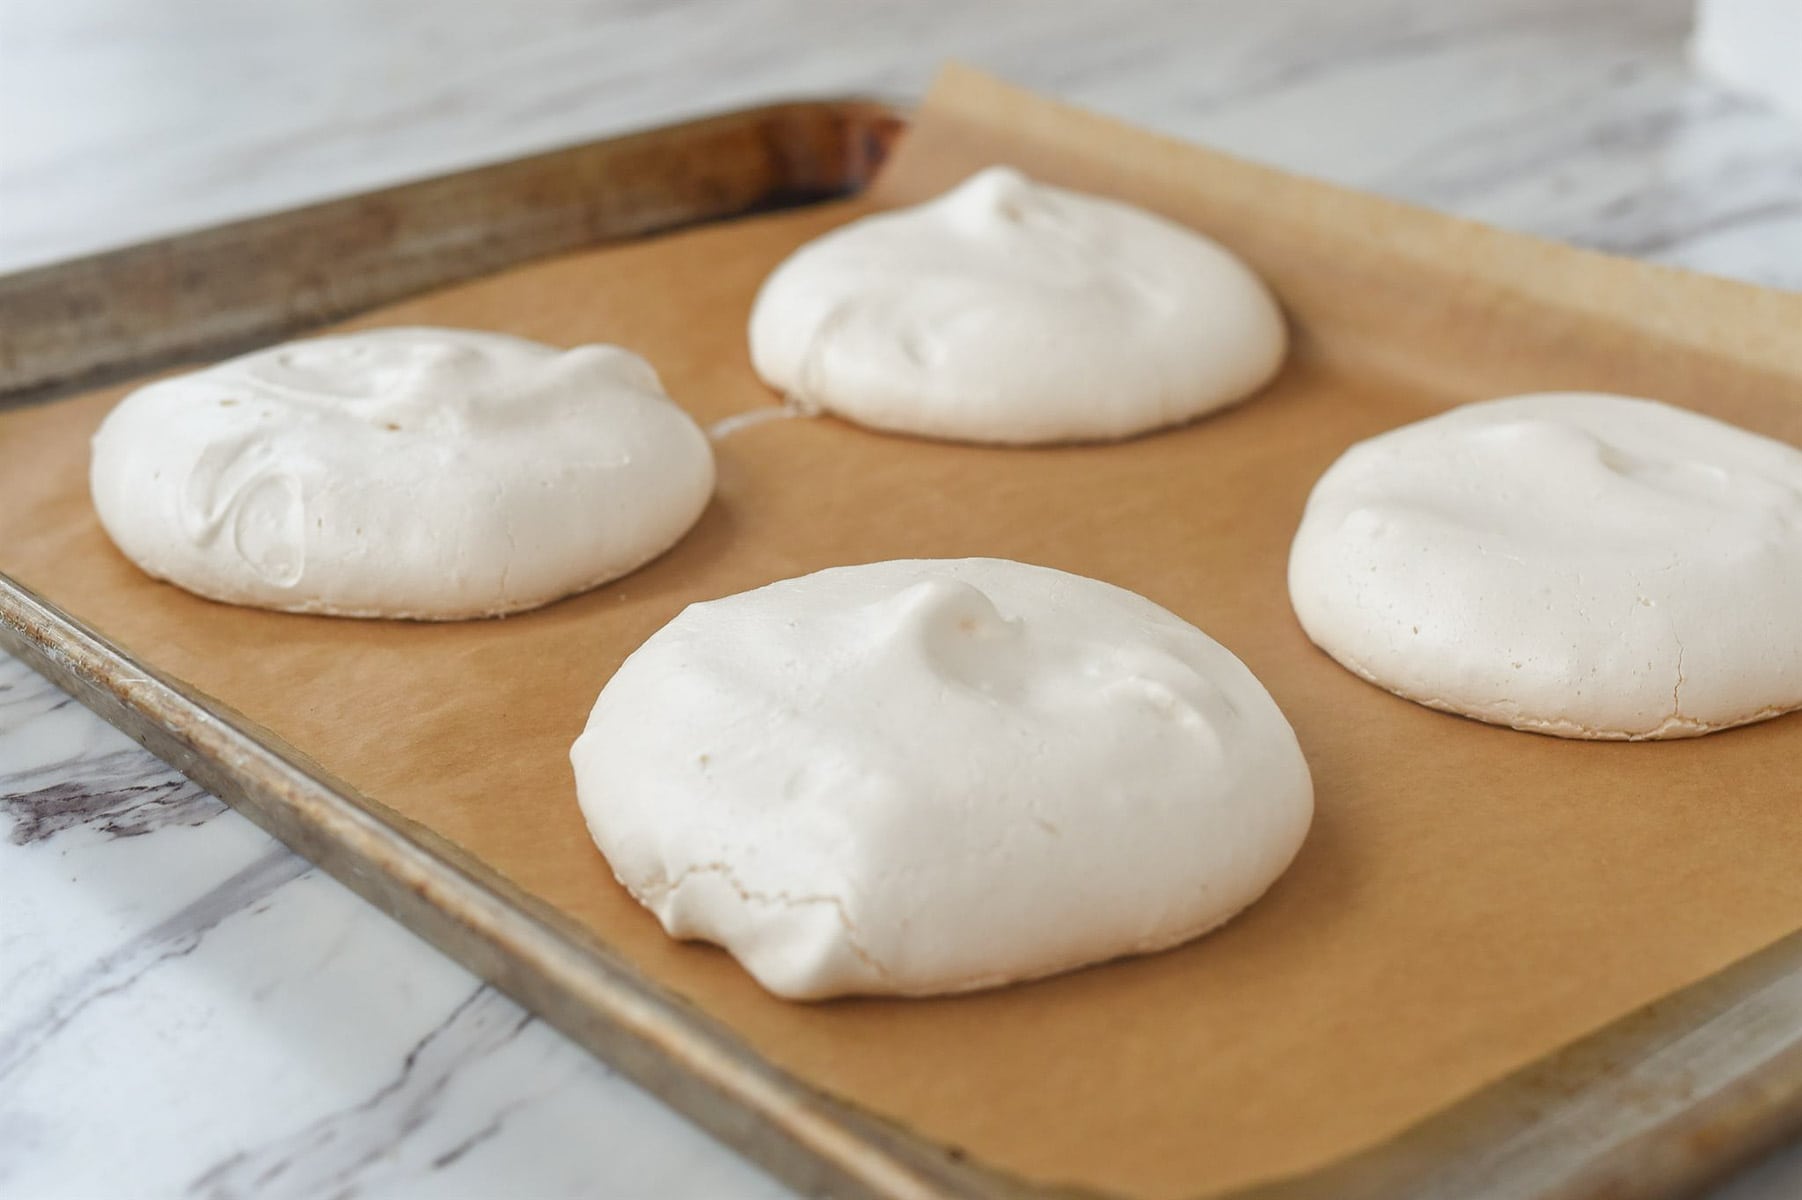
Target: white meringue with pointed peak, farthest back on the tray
x: 1015, y: 313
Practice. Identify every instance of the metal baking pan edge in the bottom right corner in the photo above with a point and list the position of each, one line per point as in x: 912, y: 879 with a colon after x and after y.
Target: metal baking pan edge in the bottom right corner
x: 1659, y: 1104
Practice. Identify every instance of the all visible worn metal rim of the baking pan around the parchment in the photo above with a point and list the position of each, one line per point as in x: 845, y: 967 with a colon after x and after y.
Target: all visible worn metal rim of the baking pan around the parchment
x: 1653, y: 1105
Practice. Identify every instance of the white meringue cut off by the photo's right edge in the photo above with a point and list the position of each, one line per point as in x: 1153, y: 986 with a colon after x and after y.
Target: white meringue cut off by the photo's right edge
x: 1579, y: 565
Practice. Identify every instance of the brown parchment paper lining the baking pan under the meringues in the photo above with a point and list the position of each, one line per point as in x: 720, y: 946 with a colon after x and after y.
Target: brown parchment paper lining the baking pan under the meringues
x: 1470, y: 898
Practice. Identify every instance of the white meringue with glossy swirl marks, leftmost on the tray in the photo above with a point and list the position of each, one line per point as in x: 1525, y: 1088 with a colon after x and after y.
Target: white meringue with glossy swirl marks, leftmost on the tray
x: 408, y: 473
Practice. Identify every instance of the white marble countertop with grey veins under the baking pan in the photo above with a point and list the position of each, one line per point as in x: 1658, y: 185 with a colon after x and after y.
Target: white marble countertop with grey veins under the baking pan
x: 190, y: 1010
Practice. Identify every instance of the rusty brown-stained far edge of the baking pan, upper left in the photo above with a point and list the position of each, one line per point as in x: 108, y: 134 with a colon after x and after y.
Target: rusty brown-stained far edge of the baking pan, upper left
x: 217, y: 291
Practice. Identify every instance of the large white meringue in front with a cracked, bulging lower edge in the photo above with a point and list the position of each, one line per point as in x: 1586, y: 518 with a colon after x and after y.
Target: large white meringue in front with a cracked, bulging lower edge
x: 938, y: 776
